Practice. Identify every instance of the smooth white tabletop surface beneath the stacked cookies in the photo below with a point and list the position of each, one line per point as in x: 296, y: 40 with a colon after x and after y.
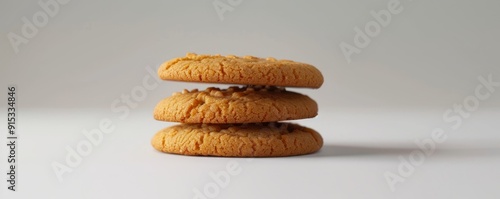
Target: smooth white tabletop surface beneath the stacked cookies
x: 359, y: 148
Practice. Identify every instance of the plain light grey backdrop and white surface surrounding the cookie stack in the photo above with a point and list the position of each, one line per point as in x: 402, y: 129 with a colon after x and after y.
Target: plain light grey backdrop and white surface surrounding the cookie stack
x: 395, y: 91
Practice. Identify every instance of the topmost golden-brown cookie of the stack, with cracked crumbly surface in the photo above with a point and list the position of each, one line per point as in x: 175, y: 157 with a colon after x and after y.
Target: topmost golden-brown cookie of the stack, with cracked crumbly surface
x: 247, y: 70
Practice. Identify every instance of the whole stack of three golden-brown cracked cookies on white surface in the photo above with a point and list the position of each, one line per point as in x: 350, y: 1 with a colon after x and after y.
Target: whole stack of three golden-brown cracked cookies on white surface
x: 238, y: 121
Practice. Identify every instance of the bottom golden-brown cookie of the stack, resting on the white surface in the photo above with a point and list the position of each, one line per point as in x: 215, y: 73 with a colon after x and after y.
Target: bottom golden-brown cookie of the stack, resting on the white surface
x: 238, y: 140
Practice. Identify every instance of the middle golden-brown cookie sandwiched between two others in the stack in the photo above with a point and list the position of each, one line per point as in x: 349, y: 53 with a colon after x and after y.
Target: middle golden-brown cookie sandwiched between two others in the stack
x: 235, y: 105
